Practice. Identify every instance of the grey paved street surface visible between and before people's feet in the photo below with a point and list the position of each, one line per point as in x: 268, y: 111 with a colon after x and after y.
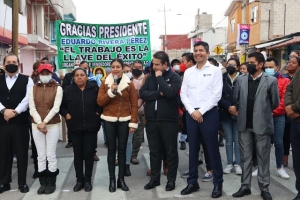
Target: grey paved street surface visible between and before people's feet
x: 279, y: 188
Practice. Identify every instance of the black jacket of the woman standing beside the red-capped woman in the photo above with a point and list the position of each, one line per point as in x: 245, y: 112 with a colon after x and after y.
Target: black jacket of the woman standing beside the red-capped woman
x: 82, y: 106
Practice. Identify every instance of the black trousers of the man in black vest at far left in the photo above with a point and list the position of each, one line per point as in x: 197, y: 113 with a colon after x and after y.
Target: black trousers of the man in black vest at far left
x: 13, y: 139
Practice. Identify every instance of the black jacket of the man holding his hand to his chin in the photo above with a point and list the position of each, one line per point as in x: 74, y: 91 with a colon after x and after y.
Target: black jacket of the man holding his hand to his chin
x: 167, y: 105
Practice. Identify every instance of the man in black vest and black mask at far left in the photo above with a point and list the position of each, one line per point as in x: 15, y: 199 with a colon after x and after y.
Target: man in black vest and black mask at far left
x: 14, y: 122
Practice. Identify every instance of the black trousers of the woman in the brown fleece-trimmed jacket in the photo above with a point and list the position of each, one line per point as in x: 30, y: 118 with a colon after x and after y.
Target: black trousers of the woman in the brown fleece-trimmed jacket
x: 116, y: 131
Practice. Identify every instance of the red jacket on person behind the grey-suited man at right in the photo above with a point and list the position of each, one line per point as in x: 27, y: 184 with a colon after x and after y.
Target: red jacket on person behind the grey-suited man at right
x: 282, y: 84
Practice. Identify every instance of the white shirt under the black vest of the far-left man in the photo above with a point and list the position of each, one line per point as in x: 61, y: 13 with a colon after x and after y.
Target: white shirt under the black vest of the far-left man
x: 23, y: 105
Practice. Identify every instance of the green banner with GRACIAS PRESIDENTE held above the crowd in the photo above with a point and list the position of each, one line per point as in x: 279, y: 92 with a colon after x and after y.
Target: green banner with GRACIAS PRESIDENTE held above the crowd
x: 98, y: 44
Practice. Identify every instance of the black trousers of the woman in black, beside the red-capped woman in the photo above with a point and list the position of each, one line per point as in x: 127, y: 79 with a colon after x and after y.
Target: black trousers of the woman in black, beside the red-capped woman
x: 84, y: 148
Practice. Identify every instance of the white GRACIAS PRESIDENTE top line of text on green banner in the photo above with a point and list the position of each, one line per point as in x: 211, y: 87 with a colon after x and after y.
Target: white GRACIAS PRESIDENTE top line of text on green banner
x: 104, y: 31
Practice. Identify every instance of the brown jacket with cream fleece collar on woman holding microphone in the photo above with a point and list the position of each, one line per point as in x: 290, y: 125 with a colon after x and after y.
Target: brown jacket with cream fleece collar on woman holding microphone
x: 120, y: 107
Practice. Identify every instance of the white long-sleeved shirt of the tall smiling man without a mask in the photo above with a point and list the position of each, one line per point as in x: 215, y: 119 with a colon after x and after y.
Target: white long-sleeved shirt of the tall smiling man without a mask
x: 201, y: 88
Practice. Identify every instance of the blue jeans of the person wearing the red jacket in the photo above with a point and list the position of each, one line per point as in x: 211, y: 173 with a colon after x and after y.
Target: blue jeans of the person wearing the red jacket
x: 279, y: 124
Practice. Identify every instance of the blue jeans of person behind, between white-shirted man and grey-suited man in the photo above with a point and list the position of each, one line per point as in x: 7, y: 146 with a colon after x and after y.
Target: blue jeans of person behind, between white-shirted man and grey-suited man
x: 231, y: 136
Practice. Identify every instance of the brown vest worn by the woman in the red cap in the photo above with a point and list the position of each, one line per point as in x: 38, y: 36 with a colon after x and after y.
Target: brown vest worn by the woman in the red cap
x: 44, y: 96
